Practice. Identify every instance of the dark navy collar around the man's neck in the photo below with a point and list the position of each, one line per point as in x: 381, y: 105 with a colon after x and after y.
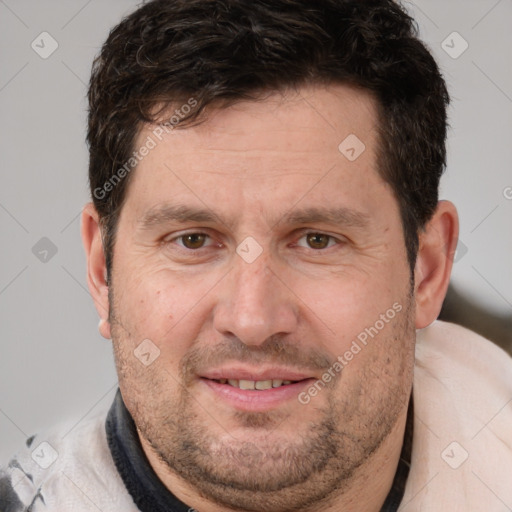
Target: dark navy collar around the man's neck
x: 150, y: 494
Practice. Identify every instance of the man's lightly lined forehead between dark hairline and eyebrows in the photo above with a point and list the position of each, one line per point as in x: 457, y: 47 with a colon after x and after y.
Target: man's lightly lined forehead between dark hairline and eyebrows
x: 313, y: 142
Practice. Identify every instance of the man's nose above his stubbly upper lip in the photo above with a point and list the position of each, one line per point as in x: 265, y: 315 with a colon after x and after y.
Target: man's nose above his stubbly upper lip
x: 254, y: 304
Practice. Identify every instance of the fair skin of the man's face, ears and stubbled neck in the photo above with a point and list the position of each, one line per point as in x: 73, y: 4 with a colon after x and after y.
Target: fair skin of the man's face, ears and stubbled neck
x: 300, y: 304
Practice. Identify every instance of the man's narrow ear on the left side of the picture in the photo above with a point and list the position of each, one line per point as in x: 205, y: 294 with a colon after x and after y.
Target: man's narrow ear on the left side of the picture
x: 96, y: 267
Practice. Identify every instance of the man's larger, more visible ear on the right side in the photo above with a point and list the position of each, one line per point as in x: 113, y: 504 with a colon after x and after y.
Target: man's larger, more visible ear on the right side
x: 437, y: 246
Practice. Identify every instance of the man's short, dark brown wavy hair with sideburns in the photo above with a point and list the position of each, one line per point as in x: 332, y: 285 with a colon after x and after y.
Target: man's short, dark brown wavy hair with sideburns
x: 223, y: 51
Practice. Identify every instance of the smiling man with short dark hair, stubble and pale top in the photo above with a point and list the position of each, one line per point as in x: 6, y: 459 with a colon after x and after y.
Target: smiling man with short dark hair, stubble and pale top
x: 267, y: 252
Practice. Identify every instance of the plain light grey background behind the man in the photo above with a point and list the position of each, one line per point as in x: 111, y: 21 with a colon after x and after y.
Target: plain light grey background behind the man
x: 53, y: 363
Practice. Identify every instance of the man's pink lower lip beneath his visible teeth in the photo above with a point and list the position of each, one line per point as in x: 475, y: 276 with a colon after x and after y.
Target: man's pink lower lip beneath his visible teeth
x: 256, y: 400
